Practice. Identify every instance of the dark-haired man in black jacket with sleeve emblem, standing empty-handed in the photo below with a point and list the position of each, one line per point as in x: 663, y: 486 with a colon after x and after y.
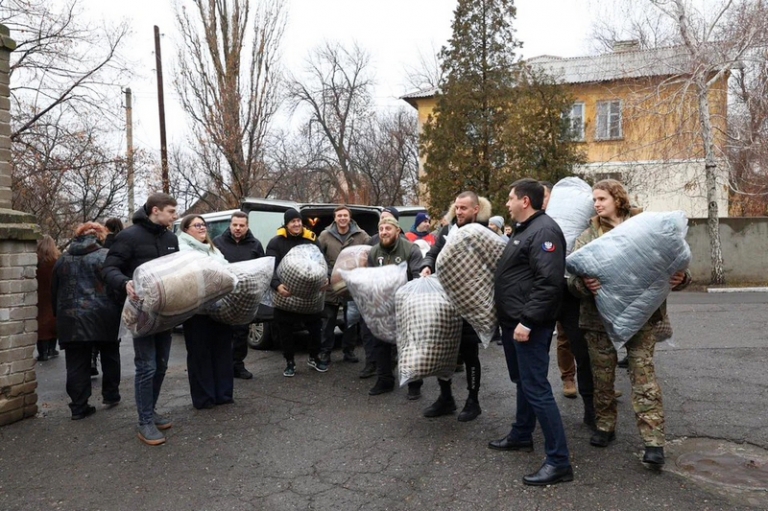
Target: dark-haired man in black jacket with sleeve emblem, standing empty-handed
x: 528, y: 293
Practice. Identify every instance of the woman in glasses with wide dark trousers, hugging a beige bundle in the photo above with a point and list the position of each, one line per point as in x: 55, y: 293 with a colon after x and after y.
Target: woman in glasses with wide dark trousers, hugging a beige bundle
x: 209, y: 345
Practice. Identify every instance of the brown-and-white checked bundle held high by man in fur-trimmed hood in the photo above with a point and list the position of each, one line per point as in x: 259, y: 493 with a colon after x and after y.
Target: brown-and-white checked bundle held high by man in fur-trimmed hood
x: 466, y: 266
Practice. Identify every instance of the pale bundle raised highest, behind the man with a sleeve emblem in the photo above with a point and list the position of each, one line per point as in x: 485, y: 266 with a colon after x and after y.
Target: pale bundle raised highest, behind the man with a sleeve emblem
x: 571, y: 206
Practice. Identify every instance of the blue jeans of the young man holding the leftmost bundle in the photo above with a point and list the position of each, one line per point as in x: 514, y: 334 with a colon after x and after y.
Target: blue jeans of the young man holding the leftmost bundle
x: 151, y: 360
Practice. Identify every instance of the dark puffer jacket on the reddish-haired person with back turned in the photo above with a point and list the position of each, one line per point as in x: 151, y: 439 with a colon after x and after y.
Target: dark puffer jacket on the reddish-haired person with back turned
x: 85, y: 308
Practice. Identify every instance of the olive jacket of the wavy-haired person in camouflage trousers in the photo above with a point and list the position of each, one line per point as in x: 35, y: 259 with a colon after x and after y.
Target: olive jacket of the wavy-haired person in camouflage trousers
x: 589, y: 316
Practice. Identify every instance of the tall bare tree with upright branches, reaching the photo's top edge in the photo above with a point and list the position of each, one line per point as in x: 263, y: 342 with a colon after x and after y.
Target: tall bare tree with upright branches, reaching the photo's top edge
x: 228, y: 80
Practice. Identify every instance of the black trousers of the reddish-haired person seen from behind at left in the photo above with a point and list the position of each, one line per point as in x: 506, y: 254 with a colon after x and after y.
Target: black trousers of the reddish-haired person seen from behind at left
x: 78, y: 362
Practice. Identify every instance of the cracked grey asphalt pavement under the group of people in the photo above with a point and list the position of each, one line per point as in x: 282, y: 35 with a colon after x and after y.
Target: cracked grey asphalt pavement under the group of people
x: 318, y: 441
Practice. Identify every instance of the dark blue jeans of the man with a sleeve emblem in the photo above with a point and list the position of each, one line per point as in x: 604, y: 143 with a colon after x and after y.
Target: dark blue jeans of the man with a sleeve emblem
x: 528, y: 365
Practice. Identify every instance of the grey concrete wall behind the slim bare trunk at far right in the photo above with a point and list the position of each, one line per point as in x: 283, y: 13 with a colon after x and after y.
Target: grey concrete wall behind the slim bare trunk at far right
x: 744, y: 245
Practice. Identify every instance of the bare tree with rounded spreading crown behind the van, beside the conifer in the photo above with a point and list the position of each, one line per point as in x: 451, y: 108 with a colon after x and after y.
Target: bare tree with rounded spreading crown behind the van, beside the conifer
x: 336, y: 91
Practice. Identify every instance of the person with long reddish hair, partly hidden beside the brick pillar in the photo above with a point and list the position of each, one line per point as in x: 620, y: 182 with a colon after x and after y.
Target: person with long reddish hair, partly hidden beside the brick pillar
x: 47, y: 255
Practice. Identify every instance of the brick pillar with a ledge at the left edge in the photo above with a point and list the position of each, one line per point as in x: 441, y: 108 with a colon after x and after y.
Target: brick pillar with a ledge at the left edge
x: 18, y: 267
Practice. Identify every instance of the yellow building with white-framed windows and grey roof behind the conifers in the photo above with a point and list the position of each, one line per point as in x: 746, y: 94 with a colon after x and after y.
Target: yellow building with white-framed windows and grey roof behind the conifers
x: 636, y: 115
